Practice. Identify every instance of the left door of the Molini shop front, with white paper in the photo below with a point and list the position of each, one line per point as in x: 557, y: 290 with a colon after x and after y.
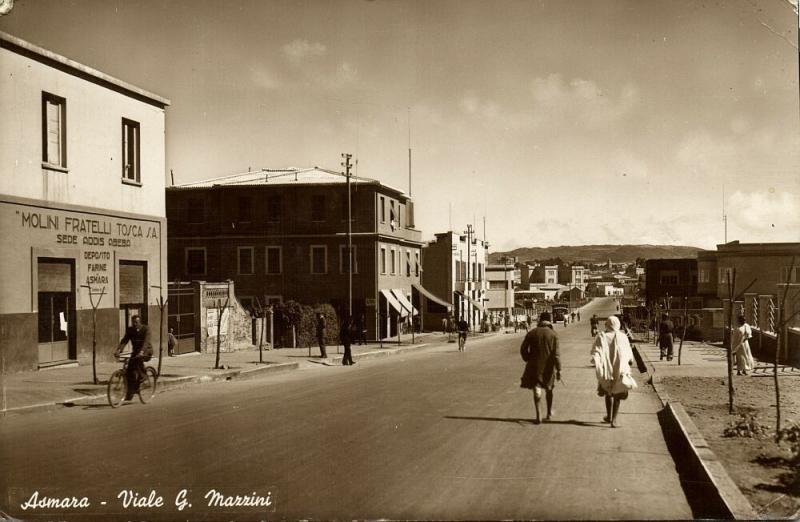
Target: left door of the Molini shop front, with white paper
x: 56, y: 306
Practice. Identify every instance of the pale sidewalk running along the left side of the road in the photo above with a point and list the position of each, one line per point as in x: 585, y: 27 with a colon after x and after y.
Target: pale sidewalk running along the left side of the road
x: 32, y: 391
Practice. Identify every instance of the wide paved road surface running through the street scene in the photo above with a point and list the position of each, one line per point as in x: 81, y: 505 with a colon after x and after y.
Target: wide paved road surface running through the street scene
x: 431, y: 435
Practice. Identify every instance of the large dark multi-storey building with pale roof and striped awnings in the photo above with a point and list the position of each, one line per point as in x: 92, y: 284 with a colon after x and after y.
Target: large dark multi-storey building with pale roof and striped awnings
x: 282, y: 235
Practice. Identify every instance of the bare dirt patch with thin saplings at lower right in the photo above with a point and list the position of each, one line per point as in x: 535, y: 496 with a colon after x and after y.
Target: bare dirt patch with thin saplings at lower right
x: 760, y: 467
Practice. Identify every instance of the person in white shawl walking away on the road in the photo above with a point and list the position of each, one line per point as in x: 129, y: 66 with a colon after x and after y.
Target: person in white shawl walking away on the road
x: 613, y: 358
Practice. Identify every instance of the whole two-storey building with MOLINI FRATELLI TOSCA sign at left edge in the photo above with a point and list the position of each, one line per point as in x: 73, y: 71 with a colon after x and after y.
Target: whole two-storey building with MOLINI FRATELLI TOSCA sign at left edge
x: 82, y: 156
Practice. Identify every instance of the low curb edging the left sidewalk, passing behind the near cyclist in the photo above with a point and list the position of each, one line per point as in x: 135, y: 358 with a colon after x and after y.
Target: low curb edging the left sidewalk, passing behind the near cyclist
x: 170, y: 383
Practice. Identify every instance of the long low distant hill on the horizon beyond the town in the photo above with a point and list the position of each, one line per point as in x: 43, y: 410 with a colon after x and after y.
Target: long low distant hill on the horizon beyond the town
x: 598, y: 253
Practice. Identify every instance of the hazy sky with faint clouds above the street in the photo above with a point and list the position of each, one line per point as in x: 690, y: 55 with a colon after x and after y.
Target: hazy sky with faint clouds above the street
x: 561, y: 122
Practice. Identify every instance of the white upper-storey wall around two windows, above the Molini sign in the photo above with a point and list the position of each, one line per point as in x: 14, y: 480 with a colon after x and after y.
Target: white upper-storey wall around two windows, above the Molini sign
x: 93, y: 140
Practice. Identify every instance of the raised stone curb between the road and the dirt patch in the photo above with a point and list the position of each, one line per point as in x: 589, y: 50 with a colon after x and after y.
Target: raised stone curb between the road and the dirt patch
x: 701, y: 459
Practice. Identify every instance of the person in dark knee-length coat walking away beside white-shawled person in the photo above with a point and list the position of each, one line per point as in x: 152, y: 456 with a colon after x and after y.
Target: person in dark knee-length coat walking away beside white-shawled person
x: 542, y: 359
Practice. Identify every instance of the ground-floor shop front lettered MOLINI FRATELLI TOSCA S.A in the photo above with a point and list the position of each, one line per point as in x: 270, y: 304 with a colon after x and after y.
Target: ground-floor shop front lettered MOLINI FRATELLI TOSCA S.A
x: 58, y: 264
